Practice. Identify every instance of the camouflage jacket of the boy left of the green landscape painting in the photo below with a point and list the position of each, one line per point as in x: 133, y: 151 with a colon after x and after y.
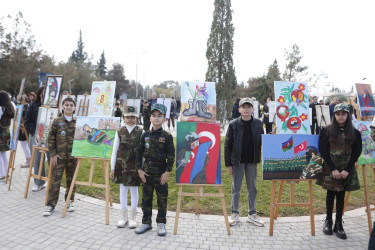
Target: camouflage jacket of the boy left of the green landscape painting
x: 60, y: 137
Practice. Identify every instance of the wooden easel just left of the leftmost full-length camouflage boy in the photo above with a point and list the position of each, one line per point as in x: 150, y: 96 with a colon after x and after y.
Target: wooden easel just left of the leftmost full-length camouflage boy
x: 43, y: 151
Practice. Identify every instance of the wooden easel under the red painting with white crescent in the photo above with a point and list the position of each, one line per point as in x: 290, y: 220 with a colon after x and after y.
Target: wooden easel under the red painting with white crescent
x: 199, y: 193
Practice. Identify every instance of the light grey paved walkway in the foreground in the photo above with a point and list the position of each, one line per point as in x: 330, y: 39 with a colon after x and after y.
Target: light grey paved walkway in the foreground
x: 22, y: 226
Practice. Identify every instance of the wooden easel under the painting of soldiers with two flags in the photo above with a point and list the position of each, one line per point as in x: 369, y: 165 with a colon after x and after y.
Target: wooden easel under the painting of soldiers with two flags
x: 275, y: 204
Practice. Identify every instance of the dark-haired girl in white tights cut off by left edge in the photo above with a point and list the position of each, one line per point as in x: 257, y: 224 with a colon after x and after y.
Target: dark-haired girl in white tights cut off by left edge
x: 7, y: 109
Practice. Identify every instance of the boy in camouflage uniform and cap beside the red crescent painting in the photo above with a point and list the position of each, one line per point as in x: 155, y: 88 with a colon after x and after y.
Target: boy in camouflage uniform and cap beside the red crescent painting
x: 156, y: 146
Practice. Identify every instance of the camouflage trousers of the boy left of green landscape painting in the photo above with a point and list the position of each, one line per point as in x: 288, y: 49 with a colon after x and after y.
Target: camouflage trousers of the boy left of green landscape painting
x: 69, y: 165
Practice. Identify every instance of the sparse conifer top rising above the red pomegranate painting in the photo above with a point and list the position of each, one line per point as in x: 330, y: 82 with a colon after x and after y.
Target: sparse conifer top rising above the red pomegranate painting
x: 293, y: 71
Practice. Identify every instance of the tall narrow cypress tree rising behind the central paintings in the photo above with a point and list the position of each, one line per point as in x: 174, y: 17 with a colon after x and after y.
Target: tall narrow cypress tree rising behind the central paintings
x: 219, y: 55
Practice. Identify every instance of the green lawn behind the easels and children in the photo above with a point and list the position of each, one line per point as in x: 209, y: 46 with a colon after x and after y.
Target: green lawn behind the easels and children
x: 213, y: 205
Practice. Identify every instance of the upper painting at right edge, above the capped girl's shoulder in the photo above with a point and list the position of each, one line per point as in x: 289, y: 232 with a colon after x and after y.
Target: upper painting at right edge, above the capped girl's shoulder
x: 365, y: 99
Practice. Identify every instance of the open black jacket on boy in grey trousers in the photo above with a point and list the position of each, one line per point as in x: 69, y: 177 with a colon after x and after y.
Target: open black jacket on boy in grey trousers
x: 233, y: 141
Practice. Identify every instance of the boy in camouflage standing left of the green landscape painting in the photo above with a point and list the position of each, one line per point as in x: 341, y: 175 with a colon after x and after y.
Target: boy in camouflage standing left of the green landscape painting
x: 60, y: 143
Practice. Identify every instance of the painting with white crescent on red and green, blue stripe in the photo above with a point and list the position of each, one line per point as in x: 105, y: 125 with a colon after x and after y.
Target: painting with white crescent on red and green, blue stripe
x: 198, y: 158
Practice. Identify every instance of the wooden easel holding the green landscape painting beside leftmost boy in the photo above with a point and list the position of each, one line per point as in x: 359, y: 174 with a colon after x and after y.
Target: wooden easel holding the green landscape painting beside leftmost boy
x: 105, y: 166
